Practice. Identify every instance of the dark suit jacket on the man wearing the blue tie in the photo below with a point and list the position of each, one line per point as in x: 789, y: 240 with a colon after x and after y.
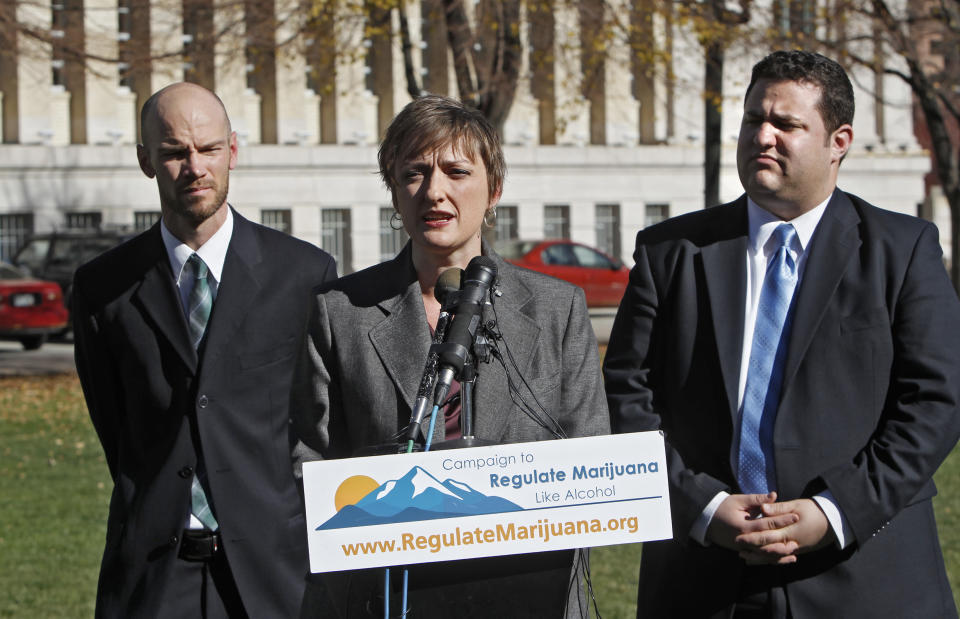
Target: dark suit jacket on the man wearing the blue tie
x: 868, y: 407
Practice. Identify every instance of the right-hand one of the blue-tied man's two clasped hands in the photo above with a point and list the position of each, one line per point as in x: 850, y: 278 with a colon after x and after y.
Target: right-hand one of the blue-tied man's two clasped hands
x: 780, y: 544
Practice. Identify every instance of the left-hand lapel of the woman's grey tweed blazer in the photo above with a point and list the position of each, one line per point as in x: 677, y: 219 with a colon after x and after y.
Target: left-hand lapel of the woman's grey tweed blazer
x: 402, y: 338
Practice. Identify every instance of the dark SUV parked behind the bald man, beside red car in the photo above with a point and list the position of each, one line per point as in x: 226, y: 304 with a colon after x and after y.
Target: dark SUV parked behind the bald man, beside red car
x: 56, y: 255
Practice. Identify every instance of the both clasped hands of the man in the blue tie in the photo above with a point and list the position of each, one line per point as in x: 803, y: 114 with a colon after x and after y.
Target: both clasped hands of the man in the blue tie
x: 765, y: 532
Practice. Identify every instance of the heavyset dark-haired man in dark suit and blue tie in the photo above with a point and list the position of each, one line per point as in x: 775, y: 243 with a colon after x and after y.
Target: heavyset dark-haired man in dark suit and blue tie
x: 806, y: 376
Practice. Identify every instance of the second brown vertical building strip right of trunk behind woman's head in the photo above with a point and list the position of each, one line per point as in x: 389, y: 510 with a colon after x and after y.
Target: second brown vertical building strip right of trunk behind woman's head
x: 593, y: 48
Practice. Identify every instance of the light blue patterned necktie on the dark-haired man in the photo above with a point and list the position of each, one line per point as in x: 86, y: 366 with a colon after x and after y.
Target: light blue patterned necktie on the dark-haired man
x: 756, y: 472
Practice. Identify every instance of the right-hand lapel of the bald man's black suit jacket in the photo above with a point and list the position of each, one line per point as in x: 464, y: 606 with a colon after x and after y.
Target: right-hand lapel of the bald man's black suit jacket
x: 238, y: 288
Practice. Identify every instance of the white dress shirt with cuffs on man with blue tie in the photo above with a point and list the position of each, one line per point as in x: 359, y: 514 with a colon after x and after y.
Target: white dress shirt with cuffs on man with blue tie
x: 760, y: 250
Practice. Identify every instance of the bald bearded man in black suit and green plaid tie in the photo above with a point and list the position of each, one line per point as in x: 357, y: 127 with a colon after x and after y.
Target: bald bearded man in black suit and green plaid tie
x: 185, y: 343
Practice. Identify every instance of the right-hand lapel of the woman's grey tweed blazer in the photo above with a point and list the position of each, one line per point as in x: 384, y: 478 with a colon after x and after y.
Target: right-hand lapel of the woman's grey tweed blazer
x: 493, y: 404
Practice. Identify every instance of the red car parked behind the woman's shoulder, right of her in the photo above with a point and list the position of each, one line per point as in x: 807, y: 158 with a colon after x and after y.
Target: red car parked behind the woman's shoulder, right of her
x: 602, y: 277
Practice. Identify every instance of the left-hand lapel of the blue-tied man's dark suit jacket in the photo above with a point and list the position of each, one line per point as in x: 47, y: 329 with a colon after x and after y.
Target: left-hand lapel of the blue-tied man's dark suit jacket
x: 725, y: 271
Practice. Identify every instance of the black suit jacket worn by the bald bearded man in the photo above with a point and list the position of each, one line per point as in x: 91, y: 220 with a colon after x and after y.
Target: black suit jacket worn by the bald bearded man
x: 152, y: 399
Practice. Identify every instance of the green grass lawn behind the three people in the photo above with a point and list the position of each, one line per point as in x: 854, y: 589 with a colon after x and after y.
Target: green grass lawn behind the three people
x: 55, y: 489
